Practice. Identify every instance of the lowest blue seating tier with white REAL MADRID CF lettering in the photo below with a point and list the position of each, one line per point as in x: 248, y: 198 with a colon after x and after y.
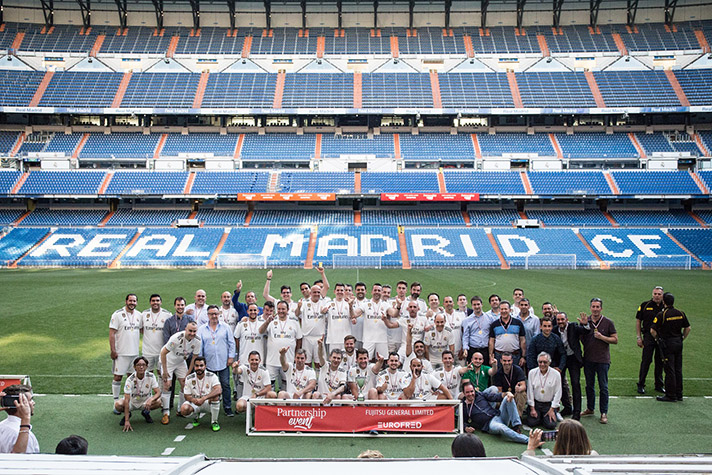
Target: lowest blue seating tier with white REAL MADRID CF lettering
x: 350, y: 246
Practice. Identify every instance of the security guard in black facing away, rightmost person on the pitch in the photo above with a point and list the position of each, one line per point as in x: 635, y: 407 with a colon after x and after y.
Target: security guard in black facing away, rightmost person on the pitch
x: 670, y: 327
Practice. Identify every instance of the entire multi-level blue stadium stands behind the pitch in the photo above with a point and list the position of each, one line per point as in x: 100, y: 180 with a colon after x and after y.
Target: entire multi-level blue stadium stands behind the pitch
x: 597, y: 218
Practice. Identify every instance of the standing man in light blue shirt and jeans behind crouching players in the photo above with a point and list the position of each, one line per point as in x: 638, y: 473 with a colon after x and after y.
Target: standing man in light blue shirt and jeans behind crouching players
x: 218, y: 349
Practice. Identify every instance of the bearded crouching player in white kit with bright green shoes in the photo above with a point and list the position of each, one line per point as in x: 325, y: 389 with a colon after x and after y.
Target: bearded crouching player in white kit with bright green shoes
x: 202, y: 395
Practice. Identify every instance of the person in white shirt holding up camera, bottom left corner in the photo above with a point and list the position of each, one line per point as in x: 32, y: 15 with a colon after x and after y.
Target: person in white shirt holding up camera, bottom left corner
x: 16, y: 435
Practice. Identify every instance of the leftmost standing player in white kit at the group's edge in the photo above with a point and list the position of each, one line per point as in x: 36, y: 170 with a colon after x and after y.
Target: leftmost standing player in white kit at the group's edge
x: 124, y: 337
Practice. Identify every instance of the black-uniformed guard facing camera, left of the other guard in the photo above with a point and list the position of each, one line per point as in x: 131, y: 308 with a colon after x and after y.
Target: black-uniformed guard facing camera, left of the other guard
x: 643, y: 319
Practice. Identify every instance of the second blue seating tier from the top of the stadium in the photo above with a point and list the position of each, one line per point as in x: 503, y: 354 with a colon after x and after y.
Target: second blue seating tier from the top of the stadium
x: 377, y: 90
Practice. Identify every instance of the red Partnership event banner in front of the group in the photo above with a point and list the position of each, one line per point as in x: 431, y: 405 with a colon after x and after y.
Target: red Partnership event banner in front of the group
x: 354, y: 418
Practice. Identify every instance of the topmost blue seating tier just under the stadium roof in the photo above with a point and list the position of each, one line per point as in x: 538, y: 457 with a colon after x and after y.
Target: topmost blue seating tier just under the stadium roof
x: 286, y: 41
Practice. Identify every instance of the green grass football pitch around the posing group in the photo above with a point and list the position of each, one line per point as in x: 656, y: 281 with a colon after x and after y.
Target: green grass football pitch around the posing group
x: 55, y: 328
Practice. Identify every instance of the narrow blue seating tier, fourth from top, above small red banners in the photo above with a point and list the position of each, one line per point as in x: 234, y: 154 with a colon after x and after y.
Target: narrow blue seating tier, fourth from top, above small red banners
x: 230, y: 183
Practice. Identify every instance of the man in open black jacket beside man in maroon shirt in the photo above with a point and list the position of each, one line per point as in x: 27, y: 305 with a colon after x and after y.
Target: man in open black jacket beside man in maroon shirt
x: 570, y: 334
